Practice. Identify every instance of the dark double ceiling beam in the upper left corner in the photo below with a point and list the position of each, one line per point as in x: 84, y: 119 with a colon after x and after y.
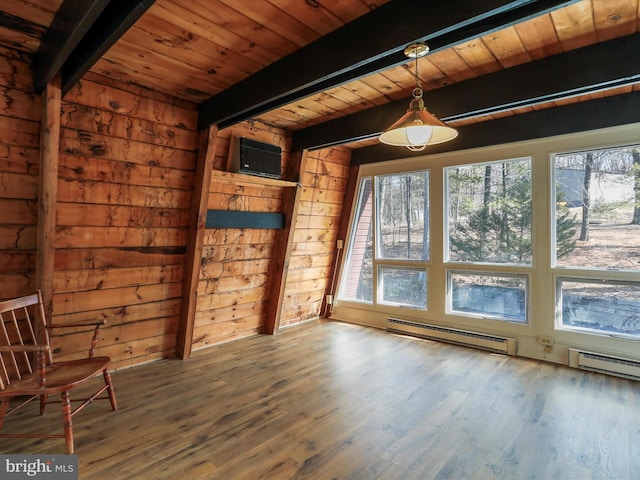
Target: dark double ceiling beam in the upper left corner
x: 80, y: 34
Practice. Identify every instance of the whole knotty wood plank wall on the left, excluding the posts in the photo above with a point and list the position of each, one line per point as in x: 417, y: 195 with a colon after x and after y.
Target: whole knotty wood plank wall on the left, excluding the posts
x: 127, y: 160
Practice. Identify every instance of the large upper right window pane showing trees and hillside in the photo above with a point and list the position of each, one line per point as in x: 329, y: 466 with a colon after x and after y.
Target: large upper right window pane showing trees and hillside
x: 597, y: 209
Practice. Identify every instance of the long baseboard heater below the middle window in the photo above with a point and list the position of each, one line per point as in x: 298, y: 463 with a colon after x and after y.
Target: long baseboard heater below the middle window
x: 452, y: 335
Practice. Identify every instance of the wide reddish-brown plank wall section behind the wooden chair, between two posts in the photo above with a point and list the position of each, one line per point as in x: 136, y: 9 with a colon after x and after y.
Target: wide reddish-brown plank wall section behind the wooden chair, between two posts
x: 127, y: 159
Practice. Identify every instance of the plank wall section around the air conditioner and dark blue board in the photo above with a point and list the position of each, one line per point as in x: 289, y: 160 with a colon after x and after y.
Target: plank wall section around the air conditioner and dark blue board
x: 234, y: 282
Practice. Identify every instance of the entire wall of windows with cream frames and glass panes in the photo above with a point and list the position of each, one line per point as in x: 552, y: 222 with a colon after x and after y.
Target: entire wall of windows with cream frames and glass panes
x: 534, y: 240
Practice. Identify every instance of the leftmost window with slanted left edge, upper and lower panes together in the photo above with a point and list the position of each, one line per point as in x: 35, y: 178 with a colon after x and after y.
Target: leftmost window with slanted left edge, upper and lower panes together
x: 400, y: 216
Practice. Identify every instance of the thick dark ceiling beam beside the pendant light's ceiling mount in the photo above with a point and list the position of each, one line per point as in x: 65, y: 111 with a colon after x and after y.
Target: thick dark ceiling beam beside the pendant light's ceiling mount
x: 369, y: 44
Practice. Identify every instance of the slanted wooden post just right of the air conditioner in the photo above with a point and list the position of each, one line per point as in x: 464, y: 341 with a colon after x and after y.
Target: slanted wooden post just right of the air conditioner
x: 280, y: 267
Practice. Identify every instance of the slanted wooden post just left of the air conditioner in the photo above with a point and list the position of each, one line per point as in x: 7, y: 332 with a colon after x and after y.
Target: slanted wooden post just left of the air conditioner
x: 195, y: 240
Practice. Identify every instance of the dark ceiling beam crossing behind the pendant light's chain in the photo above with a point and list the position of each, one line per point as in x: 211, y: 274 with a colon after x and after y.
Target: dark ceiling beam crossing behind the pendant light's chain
x: 578, y: 72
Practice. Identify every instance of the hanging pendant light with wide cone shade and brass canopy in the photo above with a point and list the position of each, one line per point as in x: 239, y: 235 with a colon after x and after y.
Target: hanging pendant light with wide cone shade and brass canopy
x: 417, y: 128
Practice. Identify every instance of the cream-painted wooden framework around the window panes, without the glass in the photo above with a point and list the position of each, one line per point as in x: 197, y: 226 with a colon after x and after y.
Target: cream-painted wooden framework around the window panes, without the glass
x: 543, y: 296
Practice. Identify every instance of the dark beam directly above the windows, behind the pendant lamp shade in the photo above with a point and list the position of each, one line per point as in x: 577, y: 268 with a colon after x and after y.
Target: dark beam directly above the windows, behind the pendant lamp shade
x: 572, y: 118
